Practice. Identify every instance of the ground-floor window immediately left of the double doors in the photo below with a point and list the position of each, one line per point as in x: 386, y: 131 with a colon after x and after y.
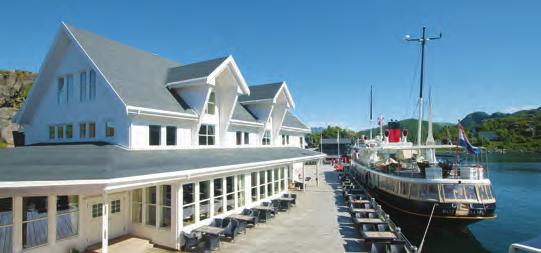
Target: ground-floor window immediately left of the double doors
x: 67, y: 216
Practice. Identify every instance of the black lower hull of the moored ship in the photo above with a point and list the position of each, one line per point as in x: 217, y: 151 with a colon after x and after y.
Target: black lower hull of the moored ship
x: 420, y: 211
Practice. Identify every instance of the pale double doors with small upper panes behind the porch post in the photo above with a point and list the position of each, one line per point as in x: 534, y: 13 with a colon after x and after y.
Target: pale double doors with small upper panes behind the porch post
x: 117, y: 212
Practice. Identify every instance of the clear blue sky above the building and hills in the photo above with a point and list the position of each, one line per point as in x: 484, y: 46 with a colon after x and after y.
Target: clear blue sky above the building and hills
x: 329, y: 52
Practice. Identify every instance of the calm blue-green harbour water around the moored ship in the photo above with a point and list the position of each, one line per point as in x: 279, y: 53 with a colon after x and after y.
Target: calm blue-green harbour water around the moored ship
x: 516, y: 180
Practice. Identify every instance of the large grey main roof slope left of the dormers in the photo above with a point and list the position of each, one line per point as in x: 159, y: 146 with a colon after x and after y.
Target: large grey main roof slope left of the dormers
x: 135, y: 75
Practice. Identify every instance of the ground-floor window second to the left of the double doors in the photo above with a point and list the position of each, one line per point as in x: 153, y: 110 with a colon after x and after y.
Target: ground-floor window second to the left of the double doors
x: 35, y: 221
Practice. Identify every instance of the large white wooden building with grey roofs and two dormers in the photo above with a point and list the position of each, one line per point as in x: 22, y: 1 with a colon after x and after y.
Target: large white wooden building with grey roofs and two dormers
x: 125, y: 142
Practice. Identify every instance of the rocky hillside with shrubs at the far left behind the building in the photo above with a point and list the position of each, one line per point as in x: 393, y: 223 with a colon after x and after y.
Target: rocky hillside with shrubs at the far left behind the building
x: 14, y: 87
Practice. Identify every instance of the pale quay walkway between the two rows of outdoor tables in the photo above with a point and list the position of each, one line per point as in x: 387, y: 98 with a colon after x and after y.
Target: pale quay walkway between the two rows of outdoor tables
x: 318, y: 223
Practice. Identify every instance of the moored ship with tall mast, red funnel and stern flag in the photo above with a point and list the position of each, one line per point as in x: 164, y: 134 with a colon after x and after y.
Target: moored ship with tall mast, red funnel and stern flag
x: 413, y: 179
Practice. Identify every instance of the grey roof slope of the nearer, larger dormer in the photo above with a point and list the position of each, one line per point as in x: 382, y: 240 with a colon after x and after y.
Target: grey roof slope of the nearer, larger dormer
x: 194, y: 70
